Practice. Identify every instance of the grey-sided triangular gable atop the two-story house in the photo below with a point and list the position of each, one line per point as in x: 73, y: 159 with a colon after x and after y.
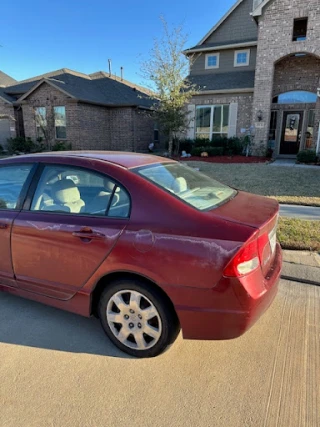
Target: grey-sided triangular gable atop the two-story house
x: 237, y: 24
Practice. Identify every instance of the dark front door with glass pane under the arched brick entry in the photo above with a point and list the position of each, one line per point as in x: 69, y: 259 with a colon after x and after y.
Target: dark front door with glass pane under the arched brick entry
x: 291, y: 132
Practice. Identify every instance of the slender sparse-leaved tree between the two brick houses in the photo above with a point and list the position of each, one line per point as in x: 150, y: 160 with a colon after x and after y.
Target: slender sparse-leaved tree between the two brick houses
x: 165, y: 73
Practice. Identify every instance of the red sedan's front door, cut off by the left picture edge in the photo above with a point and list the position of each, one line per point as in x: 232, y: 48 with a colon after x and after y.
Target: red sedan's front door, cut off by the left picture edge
x: 13, y: 184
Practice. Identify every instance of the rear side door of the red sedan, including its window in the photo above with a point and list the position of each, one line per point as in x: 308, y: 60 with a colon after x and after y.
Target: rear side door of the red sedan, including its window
x: 70, y: 228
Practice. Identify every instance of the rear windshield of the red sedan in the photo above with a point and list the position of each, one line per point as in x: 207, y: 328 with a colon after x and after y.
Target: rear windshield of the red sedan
x: 188, y: 184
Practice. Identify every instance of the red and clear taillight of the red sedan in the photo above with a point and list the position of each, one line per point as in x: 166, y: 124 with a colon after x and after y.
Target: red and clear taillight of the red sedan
x: 249, y: 257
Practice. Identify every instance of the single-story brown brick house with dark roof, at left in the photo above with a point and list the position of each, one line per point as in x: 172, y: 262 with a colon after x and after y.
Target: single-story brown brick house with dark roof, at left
x: 95, y: 111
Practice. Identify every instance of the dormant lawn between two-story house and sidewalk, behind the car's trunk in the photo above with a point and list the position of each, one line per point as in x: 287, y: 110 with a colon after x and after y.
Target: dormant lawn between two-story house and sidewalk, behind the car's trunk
x: 286, y: 184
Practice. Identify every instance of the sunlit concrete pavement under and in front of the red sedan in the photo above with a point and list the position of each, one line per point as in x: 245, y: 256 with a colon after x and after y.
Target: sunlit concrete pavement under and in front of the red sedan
x: 58, y: 369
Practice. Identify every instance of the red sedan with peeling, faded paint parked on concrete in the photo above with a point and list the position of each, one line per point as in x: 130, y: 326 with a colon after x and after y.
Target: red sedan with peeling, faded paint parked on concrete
x: 145, y: 243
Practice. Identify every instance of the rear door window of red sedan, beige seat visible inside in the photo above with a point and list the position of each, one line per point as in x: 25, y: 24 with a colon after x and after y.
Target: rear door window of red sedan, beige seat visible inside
x: 72, y: 190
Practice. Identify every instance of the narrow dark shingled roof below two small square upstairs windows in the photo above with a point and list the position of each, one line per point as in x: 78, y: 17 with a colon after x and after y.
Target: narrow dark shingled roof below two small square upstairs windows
x: 224, y: 81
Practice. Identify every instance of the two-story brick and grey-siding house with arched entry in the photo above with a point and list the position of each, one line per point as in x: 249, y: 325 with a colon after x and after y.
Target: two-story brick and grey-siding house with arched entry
x: 260, y: 66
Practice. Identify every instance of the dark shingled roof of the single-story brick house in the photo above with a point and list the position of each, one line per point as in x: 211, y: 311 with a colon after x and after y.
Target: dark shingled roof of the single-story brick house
x: 98, y: 88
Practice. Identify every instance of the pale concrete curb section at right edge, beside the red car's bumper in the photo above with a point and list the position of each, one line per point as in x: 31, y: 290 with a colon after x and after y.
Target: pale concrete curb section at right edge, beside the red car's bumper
x: 301, y: 266
